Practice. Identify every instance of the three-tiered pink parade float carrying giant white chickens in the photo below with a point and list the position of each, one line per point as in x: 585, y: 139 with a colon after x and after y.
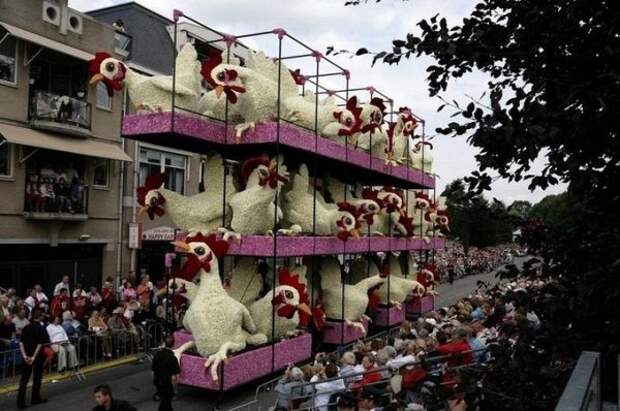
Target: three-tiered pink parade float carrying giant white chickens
x: 320, y: 199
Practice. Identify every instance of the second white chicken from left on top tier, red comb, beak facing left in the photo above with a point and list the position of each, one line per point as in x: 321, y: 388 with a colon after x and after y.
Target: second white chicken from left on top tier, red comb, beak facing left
x: 253, y: 87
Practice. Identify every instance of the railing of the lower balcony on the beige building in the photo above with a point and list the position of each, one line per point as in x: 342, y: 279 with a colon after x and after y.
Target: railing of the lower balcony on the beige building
x: 45, y: 199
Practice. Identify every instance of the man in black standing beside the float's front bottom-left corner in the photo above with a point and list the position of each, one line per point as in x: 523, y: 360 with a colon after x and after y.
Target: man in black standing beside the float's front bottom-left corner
x: 165, y: 374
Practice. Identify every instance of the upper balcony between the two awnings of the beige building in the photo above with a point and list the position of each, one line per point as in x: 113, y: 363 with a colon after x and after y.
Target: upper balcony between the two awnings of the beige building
x: 60, y: 113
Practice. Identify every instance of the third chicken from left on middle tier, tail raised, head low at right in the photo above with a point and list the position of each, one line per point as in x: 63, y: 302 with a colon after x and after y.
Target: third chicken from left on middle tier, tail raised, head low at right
x: 299, y: 208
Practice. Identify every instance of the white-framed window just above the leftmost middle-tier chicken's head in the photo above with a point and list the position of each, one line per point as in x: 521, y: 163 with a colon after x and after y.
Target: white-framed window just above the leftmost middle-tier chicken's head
x: 171, y: 164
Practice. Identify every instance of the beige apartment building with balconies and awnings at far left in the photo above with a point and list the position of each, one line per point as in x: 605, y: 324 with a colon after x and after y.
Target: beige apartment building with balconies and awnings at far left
x: 61, y: 157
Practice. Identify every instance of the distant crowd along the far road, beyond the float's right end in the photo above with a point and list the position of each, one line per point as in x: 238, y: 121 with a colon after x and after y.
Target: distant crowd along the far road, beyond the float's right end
x: 454, y: 262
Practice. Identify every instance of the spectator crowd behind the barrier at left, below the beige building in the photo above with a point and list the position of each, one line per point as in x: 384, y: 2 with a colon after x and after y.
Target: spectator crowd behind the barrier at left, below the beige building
x: 116, y: 318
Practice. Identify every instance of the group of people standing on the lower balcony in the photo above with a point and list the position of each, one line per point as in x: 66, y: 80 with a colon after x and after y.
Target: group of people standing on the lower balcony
x: 54, y: 189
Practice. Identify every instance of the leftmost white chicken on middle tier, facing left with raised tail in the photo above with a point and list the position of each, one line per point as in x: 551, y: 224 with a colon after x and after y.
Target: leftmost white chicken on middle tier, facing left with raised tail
x: 202, y: 212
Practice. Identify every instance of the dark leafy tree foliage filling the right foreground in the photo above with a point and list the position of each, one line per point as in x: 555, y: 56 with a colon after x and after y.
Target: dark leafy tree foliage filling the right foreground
x: 554, y: 91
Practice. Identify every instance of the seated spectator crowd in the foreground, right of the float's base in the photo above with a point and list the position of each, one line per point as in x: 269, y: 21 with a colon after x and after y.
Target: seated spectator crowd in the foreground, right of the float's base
x: 421, y: 364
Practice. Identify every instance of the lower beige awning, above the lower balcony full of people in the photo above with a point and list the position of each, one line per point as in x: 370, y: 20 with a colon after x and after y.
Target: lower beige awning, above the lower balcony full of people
x: 84, y: 146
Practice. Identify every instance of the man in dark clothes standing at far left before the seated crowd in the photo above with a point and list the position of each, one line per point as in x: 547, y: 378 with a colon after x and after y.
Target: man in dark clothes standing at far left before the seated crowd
x: 34, y: 337
